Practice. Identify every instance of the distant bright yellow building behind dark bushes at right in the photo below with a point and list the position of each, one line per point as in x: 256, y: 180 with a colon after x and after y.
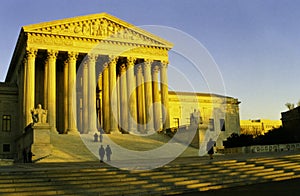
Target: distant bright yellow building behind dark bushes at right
x: 259, y: 126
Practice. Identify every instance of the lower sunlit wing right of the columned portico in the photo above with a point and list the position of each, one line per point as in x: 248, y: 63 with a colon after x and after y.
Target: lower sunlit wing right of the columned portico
x: 182, y: 104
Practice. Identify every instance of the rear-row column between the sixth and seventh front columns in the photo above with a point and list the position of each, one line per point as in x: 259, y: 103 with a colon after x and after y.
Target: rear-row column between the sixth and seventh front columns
x: 140, y: 97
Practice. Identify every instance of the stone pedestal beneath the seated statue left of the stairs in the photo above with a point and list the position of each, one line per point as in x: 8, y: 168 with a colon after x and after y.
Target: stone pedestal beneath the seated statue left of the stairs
x: 41, y: 144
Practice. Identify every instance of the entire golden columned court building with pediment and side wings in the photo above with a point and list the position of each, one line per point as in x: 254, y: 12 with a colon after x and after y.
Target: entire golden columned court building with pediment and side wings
x: 92, y: 72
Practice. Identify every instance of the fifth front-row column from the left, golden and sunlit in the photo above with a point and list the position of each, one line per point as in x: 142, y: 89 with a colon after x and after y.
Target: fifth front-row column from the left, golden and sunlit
x: 113, y: 97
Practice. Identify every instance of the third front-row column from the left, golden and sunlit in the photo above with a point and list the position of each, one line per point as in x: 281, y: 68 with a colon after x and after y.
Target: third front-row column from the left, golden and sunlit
x: 72, y: 125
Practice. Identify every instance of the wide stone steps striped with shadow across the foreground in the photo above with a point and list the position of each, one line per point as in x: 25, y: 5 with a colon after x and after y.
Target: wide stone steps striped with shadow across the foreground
x: 180, y: 176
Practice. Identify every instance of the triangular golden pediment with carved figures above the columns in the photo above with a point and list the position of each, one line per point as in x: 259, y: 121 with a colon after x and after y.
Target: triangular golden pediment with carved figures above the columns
x: 98, y: 26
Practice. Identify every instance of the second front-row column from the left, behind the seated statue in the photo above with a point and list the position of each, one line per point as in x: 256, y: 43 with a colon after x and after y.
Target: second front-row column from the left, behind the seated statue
x: 51, y: 59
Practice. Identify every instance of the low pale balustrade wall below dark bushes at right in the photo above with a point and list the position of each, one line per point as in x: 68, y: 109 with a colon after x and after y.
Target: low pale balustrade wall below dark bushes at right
x: 263, y: 148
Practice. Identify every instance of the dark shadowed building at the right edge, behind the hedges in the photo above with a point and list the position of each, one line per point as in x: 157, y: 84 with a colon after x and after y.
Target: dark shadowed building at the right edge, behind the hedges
x: 291, y: 122
